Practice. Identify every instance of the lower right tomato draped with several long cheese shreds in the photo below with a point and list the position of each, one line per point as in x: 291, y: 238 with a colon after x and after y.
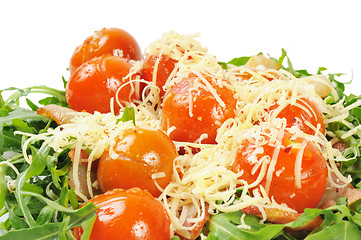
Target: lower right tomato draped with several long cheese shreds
x: 283, y: 186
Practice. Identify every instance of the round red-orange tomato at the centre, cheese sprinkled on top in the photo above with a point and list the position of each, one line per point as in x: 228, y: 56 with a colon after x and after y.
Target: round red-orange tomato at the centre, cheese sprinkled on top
x: 194, y: 112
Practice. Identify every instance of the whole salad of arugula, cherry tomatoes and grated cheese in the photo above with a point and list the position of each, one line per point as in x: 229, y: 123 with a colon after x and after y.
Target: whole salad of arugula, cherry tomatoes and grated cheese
x: 174, y: 144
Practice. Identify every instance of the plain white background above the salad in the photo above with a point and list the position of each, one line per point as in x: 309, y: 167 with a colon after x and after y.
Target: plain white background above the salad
x: 37, y: 38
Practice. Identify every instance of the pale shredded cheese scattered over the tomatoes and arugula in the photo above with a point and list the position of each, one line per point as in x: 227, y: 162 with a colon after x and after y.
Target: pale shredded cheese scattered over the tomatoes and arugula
x: 203, y: 182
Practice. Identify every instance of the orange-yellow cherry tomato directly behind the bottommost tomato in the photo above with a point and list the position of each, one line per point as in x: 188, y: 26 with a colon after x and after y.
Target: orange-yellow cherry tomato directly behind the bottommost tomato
x: 140, y: 154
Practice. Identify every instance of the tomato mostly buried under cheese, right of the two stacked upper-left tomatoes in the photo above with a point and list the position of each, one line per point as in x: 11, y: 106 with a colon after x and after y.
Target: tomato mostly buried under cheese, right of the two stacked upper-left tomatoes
x: 164, y: 69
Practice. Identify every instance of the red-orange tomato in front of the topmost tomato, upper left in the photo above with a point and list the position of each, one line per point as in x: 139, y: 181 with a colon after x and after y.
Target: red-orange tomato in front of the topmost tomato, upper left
x: 94, y: 83
